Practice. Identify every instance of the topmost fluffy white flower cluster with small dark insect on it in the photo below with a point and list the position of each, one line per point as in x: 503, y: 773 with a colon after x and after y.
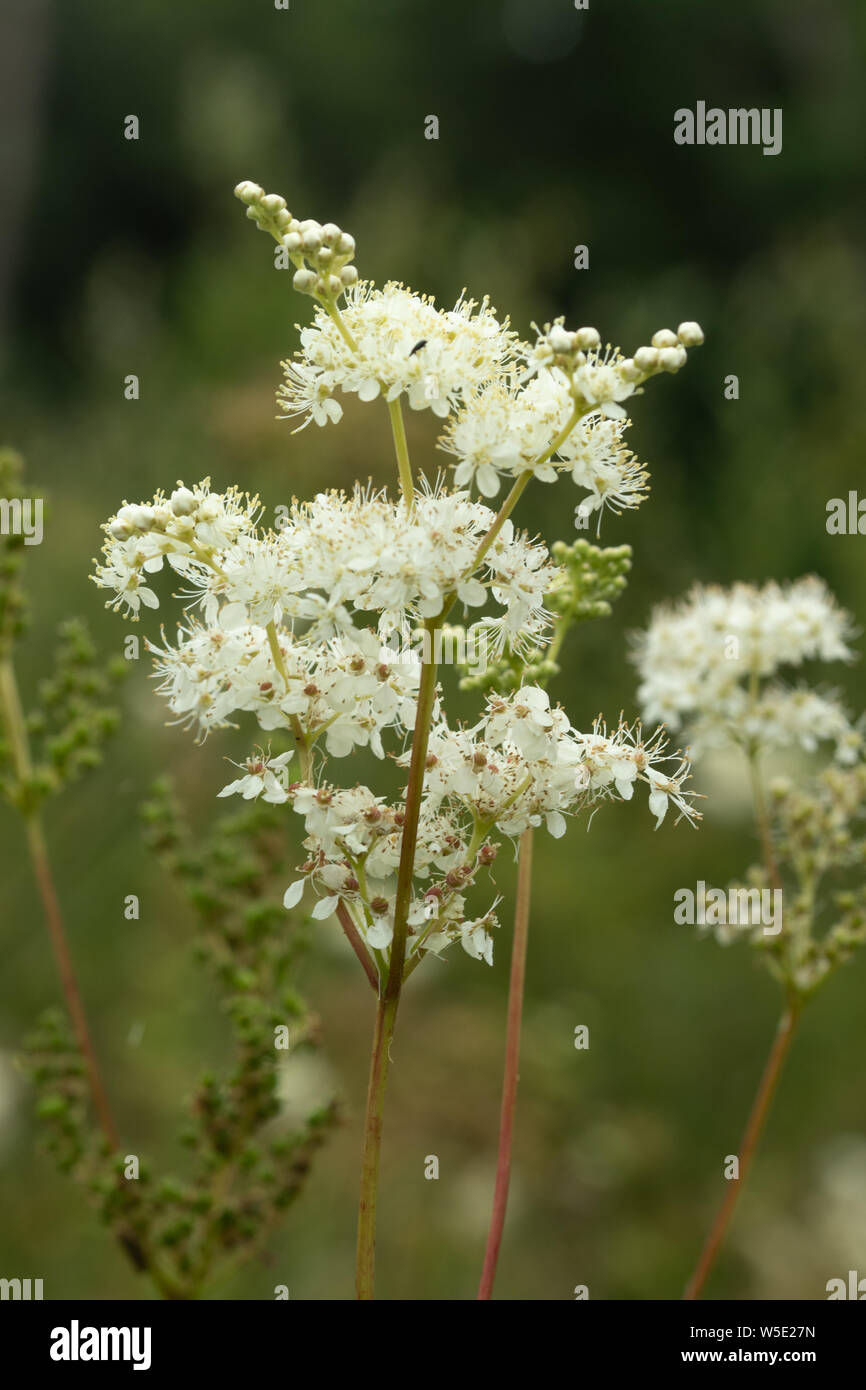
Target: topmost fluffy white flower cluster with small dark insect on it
x: 393, y: 343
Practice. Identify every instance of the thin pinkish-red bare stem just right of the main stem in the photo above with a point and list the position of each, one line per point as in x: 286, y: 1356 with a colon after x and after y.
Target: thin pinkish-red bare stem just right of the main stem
x: 512, y: 1064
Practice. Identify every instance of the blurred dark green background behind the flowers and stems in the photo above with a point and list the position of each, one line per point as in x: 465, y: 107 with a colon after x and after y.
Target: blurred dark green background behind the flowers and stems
x: 116, y: 258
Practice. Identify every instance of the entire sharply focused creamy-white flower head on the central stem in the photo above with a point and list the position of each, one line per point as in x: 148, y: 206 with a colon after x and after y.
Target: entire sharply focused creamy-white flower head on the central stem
x: 291, y: 625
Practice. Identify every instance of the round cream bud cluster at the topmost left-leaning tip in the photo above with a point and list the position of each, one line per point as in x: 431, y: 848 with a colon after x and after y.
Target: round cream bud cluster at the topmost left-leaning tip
x: 320, y: 254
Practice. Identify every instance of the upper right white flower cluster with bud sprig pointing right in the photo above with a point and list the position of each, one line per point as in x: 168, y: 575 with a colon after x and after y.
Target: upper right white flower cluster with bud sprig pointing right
x: 564, y: 412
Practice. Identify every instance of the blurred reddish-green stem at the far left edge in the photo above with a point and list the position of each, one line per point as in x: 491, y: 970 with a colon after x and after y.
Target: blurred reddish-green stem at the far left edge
x: 16, y: 730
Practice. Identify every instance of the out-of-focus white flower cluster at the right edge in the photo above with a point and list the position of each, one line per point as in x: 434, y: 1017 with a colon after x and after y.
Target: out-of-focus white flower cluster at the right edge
x: 711, y: 664
